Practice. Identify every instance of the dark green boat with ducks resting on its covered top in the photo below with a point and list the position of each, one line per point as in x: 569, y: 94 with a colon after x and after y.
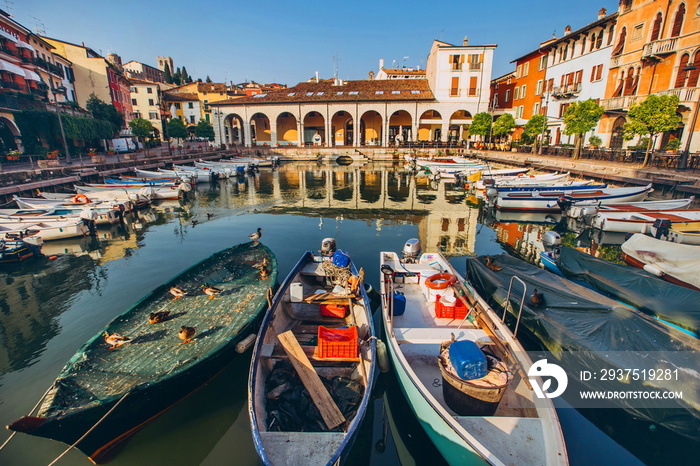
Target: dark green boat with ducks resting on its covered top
x: 103, y: 396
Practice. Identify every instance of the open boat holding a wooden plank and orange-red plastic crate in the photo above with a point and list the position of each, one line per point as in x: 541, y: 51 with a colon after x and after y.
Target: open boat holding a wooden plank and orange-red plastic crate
x: 295, y: 319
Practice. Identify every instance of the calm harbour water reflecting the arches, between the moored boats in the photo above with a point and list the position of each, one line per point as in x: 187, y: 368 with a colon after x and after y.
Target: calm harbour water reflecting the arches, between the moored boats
x: 49, y: 308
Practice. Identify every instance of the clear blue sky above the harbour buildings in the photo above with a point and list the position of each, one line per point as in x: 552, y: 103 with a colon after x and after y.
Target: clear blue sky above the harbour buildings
x: 287, y: 42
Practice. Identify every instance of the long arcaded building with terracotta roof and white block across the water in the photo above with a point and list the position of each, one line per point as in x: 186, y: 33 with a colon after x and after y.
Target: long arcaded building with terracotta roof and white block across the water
x: 371, y: 112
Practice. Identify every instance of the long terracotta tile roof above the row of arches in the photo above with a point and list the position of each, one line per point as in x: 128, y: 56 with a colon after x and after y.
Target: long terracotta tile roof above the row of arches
x: 349, y: 91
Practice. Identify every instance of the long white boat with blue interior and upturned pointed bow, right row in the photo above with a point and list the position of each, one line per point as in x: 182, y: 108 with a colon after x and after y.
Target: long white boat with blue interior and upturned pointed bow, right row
x: 547, y: 201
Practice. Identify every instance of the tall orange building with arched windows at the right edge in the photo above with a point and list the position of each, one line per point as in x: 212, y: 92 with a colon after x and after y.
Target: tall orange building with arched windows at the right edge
x: 657, y: 51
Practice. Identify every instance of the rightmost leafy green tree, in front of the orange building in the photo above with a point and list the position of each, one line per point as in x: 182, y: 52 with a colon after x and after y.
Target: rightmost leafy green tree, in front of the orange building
x: 653, y: 116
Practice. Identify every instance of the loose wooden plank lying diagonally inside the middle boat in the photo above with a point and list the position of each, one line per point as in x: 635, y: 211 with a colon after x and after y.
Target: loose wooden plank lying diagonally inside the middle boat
x: 320, y: 396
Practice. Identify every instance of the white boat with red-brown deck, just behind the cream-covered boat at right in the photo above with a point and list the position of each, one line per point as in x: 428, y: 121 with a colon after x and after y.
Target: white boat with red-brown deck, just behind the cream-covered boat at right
x: 640, y: 221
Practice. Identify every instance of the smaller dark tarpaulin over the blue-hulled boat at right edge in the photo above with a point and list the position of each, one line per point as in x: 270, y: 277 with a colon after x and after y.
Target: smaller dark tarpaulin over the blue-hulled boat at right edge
x: 636, y: 287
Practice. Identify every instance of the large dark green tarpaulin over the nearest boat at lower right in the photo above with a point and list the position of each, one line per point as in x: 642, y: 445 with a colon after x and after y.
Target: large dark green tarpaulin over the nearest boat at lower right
x: 593, y: 332
